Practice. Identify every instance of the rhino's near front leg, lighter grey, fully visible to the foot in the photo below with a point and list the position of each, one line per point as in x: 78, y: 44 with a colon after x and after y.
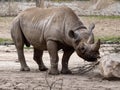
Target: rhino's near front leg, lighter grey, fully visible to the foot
x: 52, y: 49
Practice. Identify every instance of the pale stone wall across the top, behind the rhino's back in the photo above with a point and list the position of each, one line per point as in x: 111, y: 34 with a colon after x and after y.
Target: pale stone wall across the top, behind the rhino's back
x: 80, y: 7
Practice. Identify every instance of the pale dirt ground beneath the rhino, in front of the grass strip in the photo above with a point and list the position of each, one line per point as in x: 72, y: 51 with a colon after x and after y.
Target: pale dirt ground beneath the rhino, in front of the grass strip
x: 12, y: 79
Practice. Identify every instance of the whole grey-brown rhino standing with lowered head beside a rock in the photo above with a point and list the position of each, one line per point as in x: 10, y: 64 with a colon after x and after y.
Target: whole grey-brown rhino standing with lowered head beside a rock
x: 53, y: 29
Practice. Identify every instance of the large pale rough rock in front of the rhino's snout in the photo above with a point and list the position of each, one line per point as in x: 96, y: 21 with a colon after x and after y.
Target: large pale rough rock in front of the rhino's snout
x: 110, y: 65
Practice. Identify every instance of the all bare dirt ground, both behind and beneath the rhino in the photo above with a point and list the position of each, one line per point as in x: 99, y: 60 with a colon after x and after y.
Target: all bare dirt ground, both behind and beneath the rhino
x: 12, y: 79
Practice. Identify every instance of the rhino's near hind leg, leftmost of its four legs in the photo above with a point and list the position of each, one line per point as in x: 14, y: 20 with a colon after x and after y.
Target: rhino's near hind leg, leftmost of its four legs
x: 19, y: 43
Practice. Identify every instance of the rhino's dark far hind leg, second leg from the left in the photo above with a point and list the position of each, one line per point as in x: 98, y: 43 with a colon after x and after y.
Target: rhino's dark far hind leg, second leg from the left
x: 38, y: 58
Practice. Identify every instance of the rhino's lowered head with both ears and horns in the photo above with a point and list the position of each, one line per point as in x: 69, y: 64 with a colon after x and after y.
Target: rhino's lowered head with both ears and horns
x: 83, y: 42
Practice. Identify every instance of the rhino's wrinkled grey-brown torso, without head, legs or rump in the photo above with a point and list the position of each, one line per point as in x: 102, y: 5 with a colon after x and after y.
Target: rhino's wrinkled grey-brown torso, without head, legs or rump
x: 39, y: 25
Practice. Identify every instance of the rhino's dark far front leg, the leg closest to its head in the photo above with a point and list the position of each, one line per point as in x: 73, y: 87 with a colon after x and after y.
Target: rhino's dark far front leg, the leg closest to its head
x: 65, y: 59
